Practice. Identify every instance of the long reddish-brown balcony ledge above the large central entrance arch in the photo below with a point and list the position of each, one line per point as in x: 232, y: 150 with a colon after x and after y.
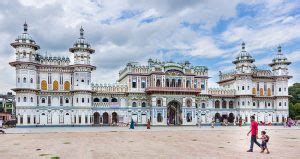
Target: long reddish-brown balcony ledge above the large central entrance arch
x: 173, y: 89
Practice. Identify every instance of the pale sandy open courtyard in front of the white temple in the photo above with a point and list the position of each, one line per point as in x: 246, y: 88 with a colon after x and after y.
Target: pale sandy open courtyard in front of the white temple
x: 158, y: 142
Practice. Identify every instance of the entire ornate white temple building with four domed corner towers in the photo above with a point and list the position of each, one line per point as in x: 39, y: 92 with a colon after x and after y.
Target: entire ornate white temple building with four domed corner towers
x: 59, y: 91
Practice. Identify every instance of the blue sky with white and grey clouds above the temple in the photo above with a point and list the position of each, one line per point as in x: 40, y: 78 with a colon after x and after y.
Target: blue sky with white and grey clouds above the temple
x: 204, y: 32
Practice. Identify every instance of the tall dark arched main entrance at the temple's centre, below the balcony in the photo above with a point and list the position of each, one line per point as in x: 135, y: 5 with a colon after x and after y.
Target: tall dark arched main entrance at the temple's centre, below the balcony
x: 174, y: 113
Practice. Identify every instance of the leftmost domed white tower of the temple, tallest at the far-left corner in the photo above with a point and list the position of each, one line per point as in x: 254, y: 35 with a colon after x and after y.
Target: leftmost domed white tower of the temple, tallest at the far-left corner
x: 26, y: 74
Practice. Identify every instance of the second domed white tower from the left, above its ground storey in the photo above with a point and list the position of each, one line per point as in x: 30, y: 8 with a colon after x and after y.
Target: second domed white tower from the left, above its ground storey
x: 82, y: 71
